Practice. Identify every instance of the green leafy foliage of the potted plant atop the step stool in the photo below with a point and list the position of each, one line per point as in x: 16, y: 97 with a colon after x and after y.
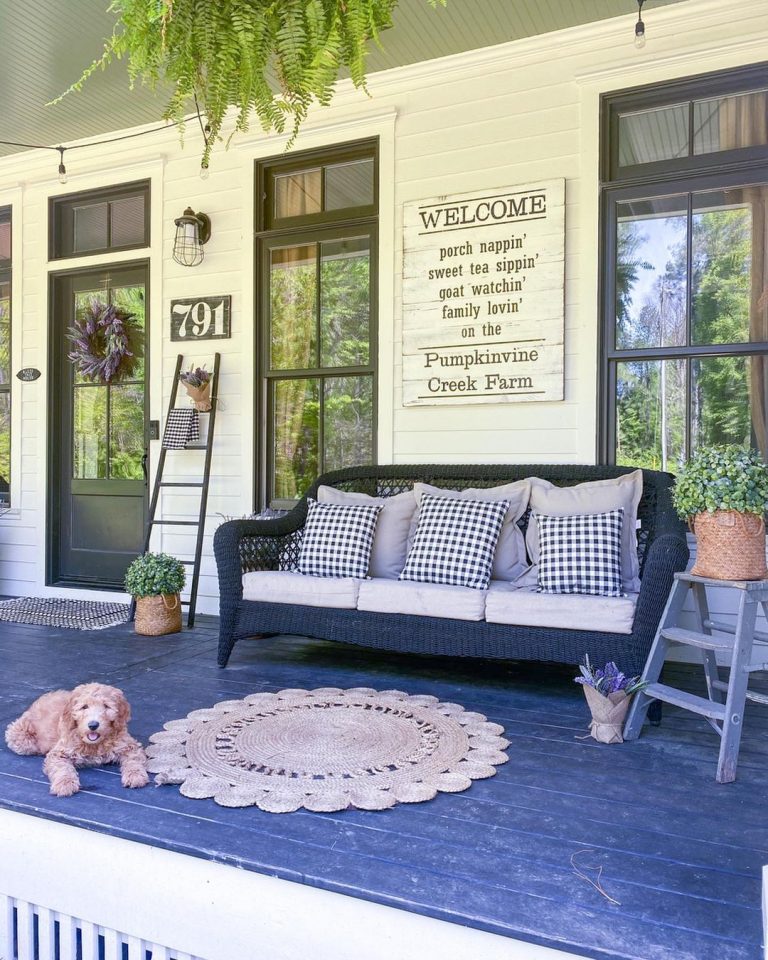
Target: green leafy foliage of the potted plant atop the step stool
x: 722, y: 478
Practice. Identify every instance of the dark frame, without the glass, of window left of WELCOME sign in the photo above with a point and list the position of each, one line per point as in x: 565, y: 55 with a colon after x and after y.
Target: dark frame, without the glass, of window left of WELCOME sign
x: 310, y: 228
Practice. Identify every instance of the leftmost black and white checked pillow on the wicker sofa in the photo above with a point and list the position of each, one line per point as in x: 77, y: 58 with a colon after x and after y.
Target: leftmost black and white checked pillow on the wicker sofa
x: 337, y: 539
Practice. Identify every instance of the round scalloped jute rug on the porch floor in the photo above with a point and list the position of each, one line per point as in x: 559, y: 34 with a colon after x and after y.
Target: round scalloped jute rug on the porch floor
x: 326, y: 749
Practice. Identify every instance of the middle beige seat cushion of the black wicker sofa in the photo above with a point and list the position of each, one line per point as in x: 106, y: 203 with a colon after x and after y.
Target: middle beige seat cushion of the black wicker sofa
x: 421, y: 599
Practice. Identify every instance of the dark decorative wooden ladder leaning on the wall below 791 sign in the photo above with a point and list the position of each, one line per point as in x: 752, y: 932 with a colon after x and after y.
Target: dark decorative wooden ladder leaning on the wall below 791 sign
x: 202, y: 485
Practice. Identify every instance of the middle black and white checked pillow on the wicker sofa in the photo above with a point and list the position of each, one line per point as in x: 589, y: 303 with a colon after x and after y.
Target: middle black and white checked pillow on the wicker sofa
x: 455, y: 541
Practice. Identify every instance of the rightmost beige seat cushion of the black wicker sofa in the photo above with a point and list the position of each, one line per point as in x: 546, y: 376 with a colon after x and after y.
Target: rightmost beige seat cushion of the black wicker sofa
x: 523, y: 606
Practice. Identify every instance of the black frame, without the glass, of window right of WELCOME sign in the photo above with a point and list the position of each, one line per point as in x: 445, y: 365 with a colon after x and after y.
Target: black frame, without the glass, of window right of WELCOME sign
x: 696, y: 173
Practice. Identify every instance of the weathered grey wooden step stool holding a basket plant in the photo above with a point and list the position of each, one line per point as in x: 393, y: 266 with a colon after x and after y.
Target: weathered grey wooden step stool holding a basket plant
x: 724, y: 705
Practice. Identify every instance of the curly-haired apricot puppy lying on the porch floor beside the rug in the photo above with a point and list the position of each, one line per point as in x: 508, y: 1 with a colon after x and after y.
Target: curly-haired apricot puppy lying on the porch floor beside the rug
x: 84, y: 727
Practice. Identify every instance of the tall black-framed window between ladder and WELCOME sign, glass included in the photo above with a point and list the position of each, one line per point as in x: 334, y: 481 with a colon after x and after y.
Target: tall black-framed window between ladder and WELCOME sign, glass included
x: 316, y: 219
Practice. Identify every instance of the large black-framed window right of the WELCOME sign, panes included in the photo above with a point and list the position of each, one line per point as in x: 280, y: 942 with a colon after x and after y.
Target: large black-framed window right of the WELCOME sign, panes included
x: 685, y: 276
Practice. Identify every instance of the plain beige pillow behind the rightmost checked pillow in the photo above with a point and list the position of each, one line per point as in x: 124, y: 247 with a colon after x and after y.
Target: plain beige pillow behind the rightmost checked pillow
x: 586, y: 499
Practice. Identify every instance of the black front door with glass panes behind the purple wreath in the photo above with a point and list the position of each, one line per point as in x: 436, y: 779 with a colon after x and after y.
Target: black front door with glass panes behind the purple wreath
x: 98, y: 439
